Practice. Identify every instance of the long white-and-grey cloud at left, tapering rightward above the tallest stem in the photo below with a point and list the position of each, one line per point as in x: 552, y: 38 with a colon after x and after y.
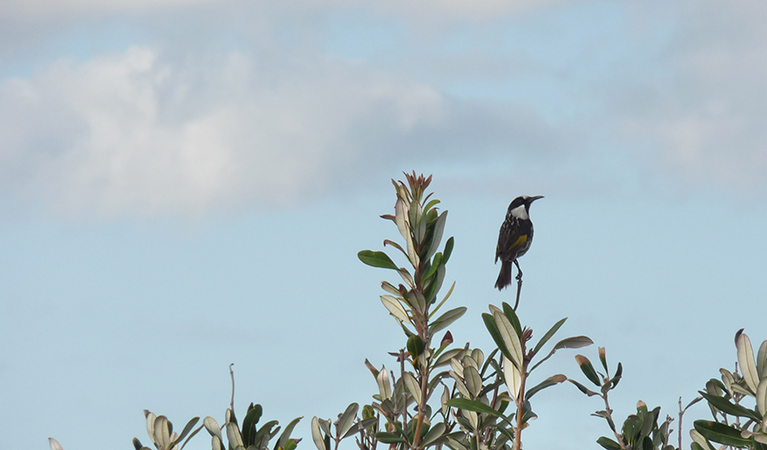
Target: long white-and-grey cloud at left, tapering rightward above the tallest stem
x: 142, y: 133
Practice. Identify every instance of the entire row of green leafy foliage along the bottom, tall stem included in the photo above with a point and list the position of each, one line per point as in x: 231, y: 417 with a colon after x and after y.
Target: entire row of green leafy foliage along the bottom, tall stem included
x: 458, y: 397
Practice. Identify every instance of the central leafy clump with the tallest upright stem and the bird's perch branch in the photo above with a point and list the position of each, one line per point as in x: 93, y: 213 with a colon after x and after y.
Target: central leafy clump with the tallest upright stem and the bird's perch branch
x: 473, y: 409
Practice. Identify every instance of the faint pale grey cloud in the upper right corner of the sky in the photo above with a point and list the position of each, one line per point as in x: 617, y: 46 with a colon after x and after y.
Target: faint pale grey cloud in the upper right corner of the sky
x: 703, y: 119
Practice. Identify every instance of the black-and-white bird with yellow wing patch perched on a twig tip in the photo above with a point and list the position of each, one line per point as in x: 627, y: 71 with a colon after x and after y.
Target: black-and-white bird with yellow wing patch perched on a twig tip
x: 514, y: 239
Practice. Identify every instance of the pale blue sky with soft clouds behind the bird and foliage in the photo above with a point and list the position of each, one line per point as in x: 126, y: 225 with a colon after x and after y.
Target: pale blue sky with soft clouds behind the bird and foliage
x: 185, y: 184
